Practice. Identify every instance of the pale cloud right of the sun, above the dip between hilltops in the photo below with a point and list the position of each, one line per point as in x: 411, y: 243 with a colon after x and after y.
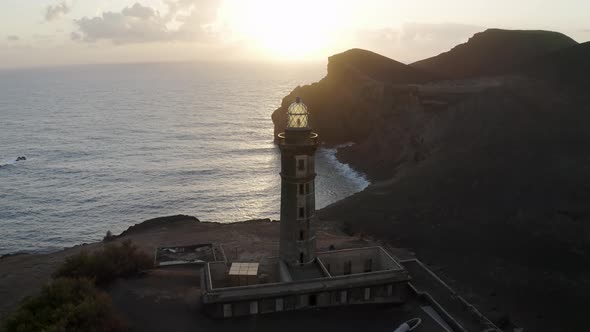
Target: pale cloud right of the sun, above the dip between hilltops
x: 415, y: 41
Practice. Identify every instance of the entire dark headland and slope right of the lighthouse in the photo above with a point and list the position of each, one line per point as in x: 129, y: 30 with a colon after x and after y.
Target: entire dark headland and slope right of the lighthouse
x: 484, y: 176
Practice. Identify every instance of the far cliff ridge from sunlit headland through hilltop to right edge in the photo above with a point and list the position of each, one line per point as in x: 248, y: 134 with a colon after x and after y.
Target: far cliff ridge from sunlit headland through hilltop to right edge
x: 388, y: 109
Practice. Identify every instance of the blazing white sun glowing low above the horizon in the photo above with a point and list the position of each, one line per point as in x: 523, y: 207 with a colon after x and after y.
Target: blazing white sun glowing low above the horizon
x: 284, y: 30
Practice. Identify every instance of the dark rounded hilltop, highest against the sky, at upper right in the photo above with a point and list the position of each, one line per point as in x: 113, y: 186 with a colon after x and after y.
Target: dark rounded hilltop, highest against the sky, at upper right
x: 494, y: 52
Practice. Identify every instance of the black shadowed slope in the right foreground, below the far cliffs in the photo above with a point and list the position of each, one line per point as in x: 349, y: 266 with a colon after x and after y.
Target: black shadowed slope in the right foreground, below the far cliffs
x: 500, y: 197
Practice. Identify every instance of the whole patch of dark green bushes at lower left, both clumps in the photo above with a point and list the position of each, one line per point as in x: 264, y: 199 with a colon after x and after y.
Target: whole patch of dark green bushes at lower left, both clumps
x: 72, y: 302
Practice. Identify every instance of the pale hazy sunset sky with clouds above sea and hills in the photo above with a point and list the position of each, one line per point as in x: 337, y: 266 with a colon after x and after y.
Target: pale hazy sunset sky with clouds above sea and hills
x: 56, y: 32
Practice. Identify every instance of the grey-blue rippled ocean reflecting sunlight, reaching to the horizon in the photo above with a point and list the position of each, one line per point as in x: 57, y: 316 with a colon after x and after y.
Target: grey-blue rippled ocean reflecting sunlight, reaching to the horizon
x: 108, y: 146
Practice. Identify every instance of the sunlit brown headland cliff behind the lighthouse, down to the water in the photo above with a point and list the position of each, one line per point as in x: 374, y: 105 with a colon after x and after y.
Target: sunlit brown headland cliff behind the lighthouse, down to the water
x: 365, y: 97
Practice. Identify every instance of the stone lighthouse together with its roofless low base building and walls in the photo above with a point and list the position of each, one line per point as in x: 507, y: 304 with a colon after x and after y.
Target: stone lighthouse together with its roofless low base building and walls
x: 301, y: 277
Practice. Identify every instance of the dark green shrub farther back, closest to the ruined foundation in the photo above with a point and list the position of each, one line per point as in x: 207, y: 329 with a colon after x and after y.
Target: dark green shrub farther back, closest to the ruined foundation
x: 112, y: 262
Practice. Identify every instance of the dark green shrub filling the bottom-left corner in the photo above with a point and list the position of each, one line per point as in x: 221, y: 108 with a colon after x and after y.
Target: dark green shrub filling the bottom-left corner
x: 65, y: 305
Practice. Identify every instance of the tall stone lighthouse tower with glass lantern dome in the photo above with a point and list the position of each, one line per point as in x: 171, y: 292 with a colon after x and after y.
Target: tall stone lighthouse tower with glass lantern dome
x: 297, y: 229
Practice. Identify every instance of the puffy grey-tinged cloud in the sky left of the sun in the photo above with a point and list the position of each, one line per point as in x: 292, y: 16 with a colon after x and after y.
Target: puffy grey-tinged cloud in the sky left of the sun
x: 143, y: 24
